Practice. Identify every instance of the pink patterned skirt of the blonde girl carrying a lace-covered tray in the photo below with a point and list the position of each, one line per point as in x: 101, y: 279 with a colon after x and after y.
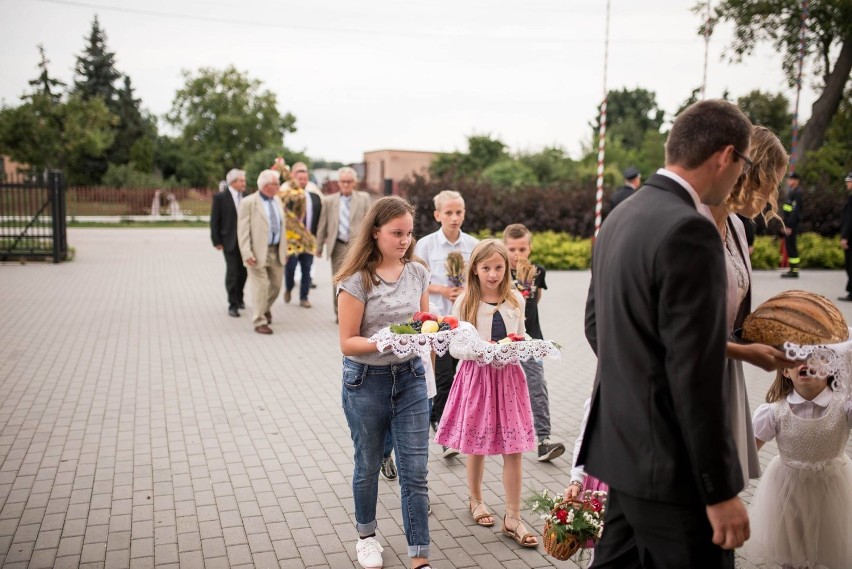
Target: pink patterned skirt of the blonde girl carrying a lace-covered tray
x: 488, y: 411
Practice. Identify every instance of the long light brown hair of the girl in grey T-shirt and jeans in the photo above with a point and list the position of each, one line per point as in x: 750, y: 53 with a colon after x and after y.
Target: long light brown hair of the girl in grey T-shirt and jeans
x: 363, y: 255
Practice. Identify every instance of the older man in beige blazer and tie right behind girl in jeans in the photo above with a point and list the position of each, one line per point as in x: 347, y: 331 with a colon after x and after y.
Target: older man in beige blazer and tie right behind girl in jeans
x: 342, y: 214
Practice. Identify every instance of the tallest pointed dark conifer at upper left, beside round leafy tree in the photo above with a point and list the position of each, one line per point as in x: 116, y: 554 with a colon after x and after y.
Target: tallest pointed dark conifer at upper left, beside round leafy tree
x: 95, y: 70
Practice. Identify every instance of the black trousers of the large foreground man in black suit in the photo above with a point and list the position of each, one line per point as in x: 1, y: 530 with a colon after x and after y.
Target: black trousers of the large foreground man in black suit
x: 645, y: 534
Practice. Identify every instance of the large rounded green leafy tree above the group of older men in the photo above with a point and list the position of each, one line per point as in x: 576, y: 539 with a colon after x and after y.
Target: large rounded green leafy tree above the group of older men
x: 223, y: 118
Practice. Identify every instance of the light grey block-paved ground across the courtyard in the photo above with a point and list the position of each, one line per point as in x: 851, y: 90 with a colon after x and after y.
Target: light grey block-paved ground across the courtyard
x: 140, y: 426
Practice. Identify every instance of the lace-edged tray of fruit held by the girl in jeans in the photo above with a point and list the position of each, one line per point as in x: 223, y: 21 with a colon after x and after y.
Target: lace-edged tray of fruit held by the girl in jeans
x: 424, y: 332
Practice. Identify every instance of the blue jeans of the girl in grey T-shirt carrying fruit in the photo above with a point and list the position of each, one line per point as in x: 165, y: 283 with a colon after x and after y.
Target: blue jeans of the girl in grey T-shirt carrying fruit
x: 378, y: 399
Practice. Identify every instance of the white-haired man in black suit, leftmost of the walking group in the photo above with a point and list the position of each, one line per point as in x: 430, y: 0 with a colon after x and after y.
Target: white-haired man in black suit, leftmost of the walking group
x: 223, y: 232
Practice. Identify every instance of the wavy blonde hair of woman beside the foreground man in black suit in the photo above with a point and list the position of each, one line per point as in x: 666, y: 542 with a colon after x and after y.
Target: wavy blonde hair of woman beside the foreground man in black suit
x: 768, y: 156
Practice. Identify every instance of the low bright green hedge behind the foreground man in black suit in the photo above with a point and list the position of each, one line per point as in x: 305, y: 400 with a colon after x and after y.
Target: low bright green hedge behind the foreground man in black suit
x: 561, y: 251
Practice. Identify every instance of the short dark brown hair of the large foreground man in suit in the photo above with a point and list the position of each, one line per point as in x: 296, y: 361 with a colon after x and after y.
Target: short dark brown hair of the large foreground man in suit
x: 703, y: 129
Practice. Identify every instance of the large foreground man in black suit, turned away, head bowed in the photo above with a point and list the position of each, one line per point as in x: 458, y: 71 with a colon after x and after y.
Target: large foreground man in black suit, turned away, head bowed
x: 659, y: 429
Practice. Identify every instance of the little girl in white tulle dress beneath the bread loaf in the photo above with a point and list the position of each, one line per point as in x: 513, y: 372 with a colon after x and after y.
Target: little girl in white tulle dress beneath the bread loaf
x: 801, y: 513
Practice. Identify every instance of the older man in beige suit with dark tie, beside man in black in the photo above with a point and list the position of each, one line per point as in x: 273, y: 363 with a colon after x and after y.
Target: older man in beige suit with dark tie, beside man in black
x: 263, y: 246
